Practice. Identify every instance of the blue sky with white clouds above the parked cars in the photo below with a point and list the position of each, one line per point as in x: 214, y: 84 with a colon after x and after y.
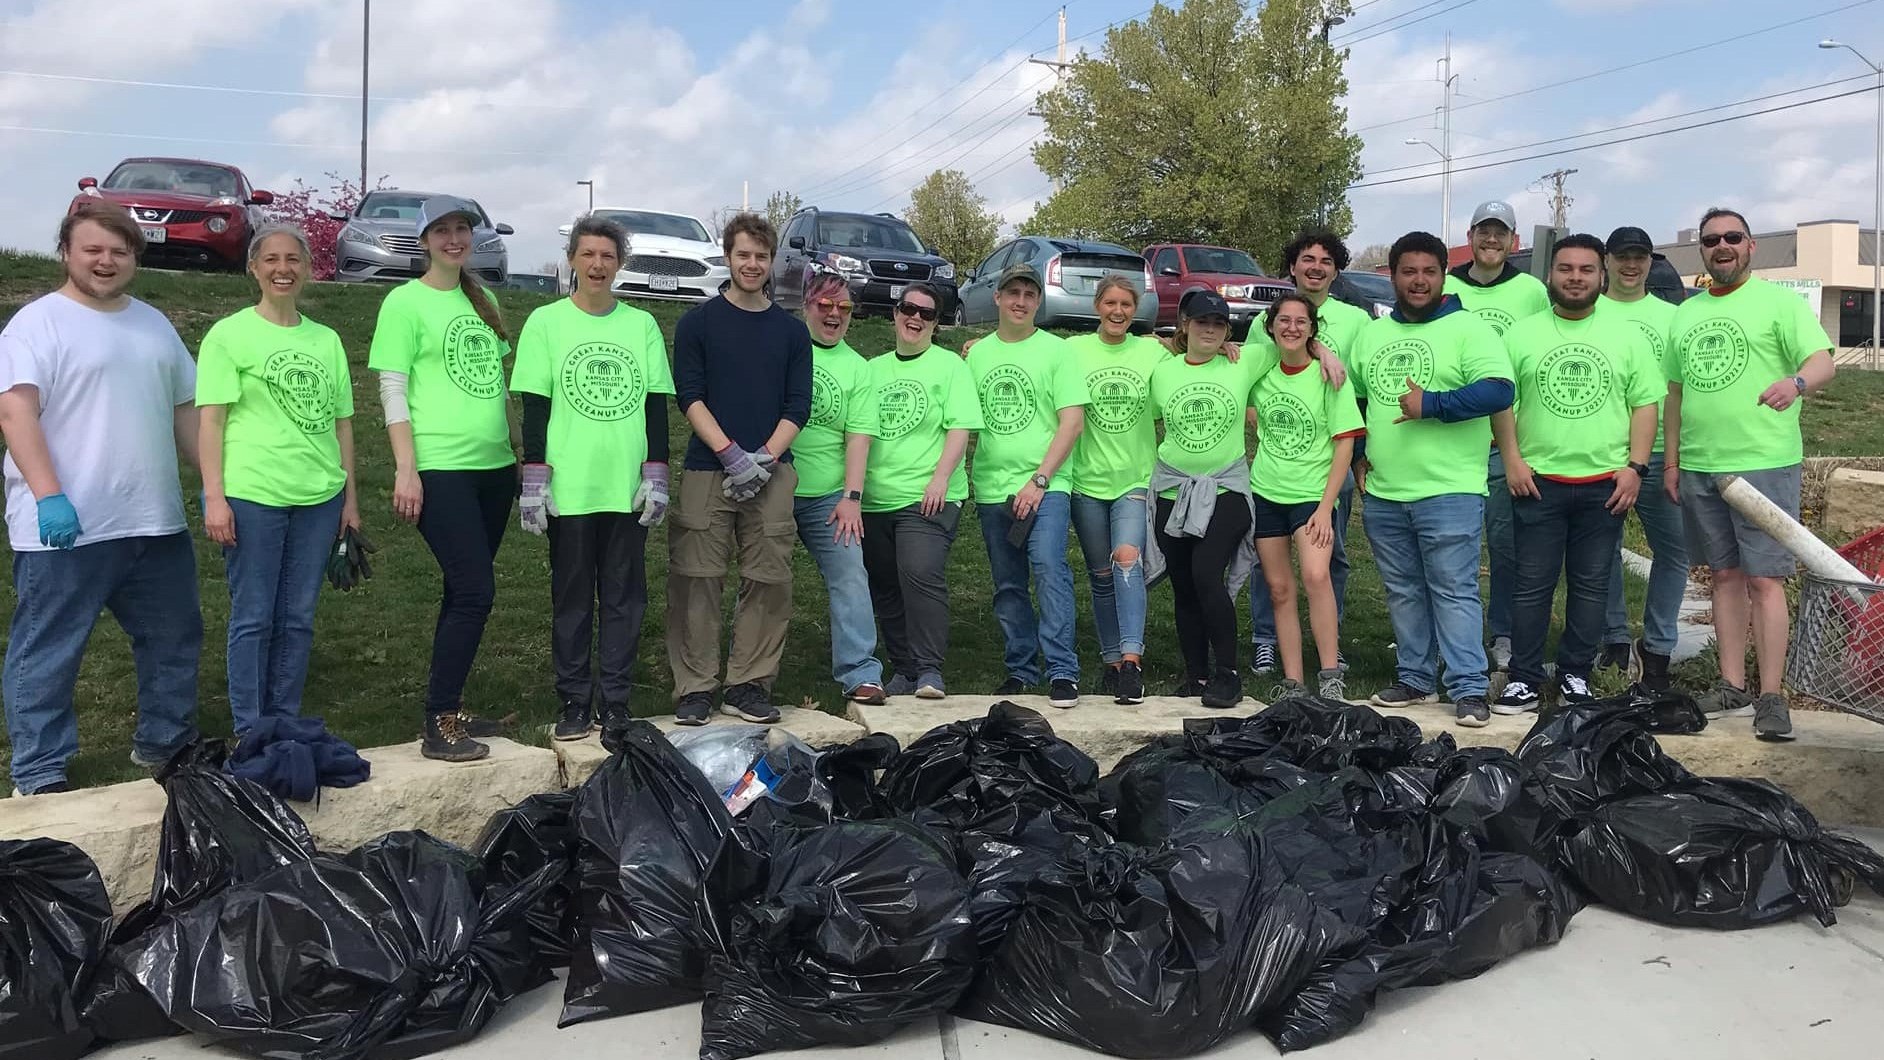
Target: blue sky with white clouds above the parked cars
x: 851, y: 103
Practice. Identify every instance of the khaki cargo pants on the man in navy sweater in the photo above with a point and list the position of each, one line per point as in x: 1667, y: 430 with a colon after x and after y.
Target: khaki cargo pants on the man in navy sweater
x: 704, y: 534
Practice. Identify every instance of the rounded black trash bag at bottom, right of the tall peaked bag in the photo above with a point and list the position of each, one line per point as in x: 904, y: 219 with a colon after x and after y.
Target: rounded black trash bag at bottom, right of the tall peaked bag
x: 862, y: 929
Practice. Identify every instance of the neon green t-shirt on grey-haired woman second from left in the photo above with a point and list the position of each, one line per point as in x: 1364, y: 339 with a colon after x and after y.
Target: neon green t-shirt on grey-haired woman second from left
x: 284, y: 389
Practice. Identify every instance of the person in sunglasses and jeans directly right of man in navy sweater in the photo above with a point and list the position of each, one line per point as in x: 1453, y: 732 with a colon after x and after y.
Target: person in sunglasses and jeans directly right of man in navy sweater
x: 828, y: 504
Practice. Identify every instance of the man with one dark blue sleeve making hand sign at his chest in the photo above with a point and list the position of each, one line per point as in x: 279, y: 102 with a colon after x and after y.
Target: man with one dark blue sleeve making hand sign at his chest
x: 1433, y: 376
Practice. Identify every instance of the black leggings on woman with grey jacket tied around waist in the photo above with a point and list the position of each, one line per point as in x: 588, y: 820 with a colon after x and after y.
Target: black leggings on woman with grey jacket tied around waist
x: 1207, y: 615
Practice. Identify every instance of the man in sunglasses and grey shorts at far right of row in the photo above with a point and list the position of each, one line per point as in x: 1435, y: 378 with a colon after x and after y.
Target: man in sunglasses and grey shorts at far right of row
x: 1740, y: 361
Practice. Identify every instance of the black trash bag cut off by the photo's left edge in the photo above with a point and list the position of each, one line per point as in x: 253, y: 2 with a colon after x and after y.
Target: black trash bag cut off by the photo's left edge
x: 56, y: 918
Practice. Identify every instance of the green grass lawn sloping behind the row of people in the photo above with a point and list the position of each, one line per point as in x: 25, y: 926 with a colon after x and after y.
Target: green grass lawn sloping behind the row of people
x: 372, y: 647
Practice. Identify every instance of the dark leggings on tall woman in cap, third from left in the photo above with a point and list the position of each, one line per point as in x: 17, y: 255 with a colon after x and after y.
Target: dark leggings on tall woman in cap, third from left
x: 463, y: 521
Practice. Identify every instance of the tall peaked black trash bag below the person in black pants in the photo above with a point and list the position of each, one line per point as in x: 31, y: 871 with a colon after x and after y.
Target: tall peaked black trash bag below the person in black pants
x: 649, y: 831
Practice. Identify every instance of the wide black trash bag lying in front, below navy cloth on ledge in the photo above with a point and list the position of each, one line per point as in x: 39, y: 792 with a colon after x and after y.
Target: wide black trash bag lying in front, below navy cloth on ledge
x: 393, y: 952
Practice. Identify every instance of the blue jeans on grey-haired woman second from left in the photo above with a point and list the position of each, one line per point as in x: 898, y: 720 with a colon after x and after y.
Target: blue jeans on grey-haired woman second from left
x: 274, y: 573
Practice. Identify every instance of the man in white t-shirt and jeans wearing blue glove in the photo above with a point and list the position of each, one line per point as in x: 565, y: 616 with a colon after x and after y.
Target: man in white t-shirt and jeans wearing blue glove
x: 97, y: 398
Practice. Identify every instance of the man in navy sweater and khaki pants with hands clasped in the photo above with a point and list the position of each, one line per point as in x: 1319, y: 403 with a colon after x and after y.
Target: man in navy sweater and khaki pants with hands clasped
x: 743, y: 377
